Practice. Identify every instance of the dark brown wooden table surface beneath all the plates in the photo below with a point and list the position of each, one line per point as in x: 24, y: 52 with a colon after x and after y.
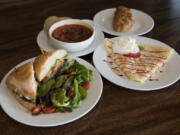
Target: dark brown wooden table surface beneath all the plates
x: 120, y: 110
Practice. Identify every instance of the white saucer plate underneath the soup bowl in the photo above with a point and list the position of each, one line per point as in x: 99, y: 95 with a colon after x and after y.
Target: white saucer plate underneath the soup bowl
x: 44, y: 43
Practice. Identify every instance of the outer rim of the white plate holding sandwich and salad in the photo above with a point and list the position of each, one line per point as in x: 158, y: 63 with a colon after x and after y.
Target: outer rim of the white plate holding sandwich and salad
x: 56, y: 123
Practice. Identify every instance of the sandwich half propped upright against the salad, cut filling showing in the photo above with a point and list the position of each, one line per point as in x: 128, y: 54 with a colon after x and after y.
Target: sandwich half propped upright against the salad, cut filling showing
x: 47, y: 65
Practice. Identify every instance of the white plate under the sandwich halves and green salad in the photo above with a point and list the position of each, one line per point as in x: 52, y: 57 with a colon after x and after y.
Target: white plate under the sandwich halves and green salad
x: 20, y: 114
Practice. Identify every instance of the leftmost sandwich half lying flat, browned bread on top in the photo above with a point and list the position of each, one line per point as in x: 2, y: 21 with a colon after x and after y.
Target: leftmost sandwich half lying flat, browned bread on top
x: 23, y: 84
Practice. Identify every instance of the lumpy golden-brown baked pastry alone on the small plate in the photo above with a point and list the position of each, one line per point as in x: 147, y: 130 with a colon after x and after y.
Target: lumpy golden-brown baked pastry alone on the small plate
x: 123, y: 19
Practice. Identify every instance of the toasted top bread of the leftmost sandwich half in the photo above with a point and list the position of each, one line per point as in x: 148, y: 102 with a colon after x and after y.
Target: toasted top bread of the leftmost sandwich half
x: 20, y: 80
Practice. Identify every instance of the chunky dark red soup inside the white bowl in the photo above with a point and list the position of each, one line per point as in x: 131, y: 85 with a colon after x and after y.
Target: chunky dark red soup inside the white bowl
x: 72, y: 33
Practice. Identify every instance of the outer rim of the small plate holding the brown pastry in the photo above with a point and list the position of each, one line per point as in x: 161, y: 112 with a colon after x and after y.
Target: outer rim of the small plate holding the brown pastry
x: 114, y: 33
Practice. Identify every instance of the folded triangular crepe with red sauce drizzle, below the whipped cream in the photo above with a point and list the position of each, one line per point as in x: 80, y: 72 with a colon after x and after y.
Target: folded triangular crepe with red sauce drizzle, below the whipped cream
x: 140, y: 66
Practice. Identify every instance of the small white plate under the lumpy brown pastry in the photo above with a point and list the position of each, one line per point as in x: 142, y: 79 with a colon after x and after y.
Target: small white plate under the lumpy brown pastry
x: 143, y: 22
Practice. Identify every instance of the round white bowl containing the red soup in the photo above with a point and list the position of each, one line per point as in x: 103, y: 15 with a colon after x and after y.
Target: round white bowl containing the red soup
x: 71, y: 47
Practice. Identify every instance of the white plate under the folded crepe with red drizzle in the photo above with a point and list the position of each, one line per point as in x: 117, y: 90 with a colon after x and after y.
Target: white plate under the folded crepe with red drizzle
x: 170, y: 75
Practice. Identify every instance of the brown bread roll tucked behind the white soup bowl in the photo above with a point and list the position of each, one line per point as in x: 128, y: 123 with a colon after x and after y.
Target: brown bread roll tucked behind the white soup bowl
x: 50, y: 21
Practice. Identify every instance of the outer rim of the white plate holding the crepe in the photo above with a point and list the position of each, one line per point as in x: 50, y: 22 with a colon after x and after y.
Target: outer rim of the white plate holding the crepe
x: 145, y: 89
